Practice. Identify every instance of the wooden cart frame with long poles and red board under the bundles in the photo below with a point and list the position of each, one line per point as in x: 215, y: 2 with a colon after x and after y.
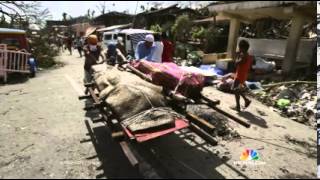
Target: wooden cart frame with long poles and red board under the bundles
x: 178, y: 103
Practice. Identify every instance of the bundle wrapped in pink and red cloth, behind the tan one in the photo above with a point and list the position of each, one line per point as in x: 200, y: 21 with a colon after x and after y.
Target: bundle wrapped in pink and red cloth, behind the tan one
x: 172, y: 77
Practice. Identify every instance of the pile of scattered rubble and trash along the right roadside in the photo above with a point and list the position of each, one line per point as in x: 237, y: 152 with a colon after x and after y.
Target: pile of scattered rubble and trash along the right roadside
x: 296, y: 100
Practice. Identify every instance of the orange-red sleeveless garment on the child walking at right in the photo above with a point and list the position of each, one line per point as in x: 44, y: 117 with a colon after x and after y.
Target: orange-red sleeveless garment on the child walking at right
x: 243, y: 69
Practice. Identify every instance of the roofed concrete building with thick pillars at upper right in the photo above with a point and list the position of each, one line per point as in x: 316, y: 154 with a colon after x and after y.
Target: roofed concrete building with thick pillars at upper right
x: 294, y: 51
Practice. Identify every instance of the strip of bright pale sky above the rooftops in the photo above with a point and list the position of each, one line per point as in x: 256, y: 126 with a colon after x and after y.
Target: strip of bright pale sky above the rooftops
x: 78, y: 8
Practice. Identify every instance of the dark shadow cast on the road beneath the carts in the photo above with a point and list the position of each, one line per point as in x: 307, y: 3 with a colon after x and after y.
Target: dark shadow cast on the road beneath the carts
x: 165, y: 155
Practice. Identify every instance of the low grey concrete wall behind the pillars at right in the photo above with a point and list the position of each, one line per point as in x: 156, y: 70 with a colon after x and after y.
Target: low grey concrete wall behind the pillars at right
x: 261, y: 47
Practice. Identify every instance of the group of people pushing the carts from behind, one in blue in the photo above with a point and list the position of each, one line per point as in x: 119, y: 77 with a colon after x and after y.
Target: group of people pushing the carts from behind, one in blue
x: 153, y: 48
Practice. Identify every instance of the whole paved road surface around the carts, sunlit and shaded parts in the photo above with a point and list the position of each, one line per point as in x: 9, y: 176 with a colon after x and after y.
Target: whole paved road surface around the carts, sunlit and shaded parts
x: 43, y: 135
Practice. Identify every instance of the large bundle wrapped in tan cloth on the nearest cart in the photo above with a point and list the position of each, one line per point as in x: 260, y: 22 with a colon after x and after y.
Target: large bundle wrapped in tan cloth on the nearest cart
x: 138, y: 104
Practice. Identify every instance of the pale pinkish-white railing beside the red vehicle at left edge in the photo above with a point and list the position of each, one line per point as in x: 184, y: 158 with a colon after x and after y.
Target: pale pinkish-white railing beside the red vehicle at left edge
x: 12, y: 61
